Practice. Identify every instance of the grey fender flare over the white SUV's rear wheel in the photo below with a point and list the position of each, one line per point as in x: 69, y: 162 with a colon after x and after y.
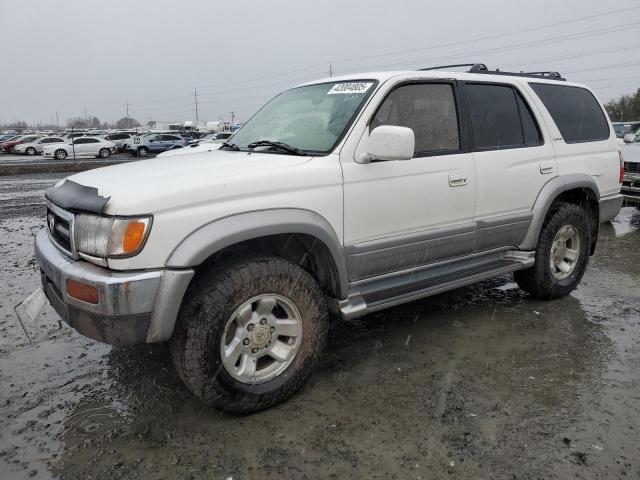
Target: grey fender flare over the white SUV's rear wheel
x: 548, y: 194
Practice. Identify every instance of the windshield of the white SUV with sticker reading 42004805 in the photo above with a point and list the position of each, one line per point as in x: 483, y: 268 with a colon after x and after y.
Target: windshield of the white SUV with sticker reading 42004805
x: 312, y: 118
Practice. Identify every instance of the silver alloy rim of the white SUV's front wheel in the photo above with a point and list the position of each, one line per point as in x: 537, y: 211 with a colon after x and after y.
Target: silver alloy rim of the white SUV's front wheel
x: 261, y: 338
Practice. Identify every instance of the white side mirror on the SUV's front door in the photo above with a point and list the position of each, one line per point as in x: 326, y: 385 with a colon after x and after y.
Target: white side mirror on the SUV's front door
x: 388, y: 142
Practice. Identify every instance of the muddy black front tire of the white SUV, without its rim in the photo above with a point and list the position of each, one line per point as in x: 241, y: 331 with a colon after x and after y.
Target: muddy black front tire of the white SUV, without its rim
x: 214, y: 294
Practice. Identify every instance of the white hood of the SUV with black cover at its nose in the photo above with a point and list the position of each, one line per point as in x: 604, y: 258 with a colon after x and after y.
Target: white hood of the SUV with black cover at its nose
x: 160, y: 184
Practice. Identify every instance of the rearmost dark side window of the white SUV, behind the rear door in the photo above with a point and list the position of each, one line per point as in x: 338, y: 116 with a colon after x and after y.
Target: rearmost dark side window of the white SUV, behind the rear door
x: 575, y: 111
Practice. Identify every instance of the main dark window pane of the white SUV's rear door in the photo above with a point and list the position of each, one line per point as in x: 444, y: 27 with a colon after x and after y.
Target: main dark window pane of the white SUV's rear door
x: 494, y: 116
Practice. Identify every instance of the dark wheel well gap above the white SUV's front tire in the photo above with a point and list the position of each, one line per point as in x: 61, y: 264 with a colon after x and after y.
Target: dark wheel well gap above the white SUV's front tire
x: 306, y: 251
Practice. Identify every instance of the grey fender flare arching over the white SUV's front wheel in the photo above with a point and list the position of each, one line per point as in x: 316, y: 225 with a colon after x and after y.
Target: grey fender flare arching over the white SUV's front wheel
x: 212, y: 237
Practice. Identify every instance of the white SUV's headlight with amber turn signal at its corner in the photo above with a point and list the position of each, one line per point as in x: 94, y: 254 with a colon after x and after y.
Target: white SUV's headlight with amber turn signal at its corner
x: 107, y: 237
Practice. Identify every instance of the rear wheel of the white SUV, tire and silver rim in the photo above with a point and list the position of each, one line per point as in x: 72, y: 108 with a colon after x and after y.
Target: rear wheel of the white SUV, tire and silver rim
x: 561, y: 256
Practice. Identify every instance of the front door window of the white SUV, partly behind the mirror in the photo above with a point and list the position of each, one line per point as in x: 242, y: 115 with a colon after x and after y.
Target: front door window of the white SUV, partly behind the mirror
x: 428, y: 109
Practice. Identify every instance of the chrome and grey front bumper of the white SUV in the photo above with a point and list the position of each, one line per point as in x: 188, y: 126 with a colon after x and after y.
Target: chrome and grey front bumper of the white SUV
x: 133, y: 307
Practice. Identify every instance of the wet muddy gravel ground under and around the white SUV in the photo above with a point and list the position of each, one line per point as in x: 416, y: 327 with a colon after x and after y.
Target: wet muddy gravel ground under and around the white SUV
x: 478, y: 383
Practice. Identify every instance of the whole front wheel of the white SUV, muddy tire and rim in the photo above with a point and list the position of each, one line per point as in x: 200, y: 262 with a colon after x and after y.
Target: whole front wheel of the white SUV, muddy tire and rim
x: 249, y: 333
